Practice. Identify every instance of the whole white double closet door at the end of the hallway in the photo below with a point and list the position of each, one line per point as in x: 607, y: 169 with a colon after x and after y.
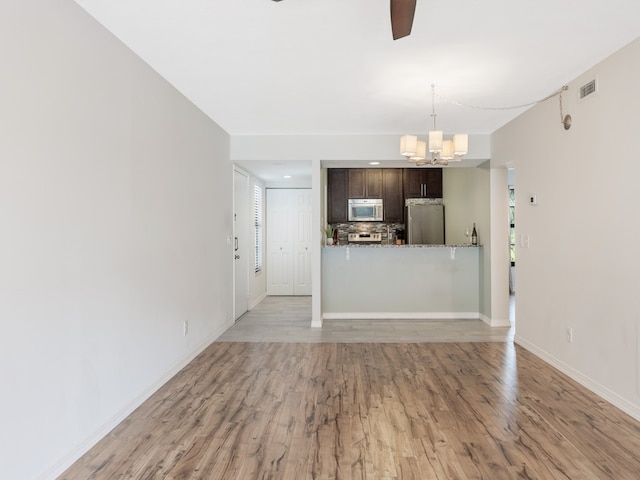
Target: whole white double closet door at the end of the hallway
x: 289, y: 241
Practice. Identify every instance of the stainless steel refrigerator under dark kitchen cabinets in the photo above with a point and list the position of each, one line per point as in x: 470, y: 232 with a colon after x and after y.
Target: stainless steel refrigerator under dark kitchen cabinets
x: 425, y: 223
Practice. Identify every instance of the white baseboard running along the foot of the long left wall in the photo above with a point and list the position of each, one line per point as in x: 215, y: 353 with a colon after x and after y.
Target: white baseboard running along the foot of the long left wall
x: 85, y: 445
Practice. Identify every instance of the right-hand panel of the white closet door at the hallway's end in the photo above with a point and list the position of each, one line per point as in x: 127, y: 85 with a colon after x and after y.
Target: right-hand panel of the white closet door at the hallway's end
x: 301, y: 204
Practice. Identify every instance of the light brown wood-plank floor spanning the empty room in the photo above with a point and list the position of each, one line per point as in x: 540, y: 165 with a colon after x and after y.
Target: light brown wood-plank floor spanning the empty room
x: 322, y: 408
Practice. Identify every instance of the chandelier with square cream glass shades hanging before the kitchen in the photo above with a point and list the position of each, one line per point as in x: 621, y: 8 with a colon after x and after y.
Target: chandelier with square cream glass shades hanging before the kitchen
x: 441, y: 151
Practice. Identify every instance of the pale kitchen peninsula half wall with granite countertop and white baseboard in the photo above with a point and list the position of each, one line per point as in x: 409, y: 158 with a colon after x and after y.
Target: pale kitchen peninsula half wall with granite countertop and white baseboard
x: 401, y: 281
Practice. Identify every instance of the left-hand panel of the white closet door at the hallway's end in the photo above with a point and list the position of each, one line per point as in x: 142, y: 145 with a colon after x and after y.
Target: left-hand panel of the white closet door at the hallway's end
x: 279, y: 243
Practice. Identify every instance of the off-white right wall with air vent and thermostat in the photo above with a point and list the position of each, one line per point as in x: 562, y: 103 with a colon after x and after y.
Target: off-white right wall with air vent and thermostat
x: 581, y: 268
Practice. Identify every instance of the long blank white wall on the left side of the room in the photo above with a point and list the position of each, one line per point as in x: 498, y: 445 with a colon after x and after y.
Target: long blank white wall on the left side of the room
x: 115, y: 197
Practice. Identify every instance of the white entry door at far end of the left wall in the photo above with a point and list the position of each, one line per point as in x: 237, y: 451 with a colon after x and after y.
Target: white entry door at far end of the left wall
x: 241, y: 244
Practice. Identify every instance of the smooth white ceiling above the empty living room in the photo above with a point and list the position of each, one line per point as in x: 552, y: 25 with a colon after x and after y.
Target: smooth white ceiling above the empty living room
x: 259, y: 67
